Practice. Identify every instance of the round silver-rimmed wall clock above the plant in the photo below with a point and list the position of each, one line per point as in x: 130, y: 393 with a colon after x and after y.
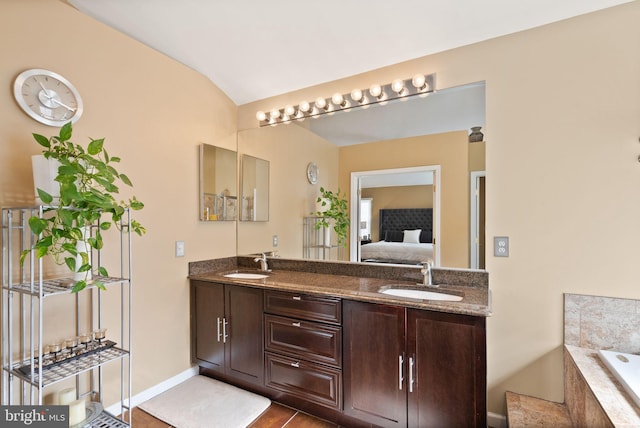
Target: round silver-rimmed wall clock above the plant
x: 47, y: 97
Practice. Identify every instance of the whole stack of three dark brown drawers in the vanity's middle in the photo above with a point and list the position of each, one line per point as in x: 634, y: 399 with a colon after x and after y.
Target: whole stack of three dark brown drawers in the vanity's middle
x: 303, y: 344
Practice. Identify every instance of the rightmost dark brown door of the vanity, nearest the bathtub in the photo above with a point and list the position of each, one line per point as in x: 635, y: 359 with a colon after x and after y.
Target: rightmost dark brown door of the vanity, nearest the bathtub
x: 449, y: 353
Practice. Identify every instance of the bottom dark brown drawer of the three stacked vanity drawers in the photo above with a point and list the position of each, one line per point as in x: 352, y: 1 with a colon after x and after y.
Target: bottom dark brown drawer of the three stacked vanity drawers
x: 309, y: 381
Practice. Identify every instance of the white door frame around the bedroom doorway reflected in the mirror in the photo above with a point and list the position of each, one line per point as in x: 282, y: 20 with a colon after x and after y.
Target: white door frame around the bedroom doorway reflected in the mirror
x: 356, y: 177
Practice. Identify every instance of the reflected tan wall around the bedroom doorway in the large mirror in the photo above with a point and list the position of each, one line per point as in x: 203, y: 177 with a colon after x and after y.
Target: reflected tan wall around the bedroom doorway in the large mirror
x: 450, y: 151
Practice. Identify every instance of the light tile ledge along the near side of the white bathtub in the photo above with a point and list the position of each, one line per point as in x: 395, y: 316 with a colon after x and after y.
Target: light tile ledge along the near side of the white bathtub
x: 612, y: 397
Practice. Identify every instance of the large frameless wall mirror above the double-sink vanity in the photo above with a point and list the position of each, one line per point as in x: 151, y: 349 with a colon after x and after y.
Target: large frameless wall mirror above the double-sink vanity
x: 376, y: 145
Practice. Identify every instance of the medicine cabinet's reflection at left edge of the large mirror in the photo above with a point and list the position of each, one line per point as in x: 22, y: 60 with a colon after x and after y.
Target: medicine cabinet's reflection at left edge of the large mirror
x: 255, y: 189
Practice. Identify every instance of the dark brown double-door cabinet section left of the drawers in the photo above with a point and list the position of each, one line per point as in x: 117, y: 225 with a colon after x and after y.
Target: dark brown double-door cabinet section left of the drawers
x: 227, y: 330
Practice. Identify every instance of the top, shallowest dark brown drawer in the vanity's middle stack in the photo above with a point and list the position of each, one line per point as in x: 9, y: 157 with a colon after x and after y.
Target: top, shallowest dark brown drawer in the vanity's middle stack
x: 298, y: 305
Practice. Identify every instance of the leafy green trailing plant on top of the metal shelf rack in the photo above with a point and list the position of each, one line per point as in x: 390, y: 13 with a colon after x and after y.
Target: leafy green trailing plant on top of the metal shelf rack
x: 88, y: 187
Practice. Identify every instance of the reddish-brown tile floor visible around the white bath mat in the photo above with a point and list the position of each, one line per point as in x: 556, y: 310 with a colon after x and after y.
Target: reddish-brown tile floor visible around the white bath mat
x: 276, y: 416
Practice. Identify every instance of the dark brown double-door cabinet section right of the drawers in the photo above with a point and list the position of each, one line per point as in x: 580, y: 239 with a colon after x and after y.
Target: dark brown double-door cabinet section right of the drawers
x: 408, y: 367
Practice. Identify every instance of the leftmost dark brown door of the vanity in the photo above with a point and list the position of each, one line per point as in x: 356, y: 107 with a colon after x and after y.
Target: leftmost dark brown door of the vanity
x: 208, y: 304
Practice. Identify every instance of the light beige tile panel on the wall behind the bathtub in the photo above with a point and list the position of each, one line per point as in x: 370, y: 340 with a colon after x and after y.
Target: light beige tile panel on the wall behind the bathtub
x: 596, y: 322
